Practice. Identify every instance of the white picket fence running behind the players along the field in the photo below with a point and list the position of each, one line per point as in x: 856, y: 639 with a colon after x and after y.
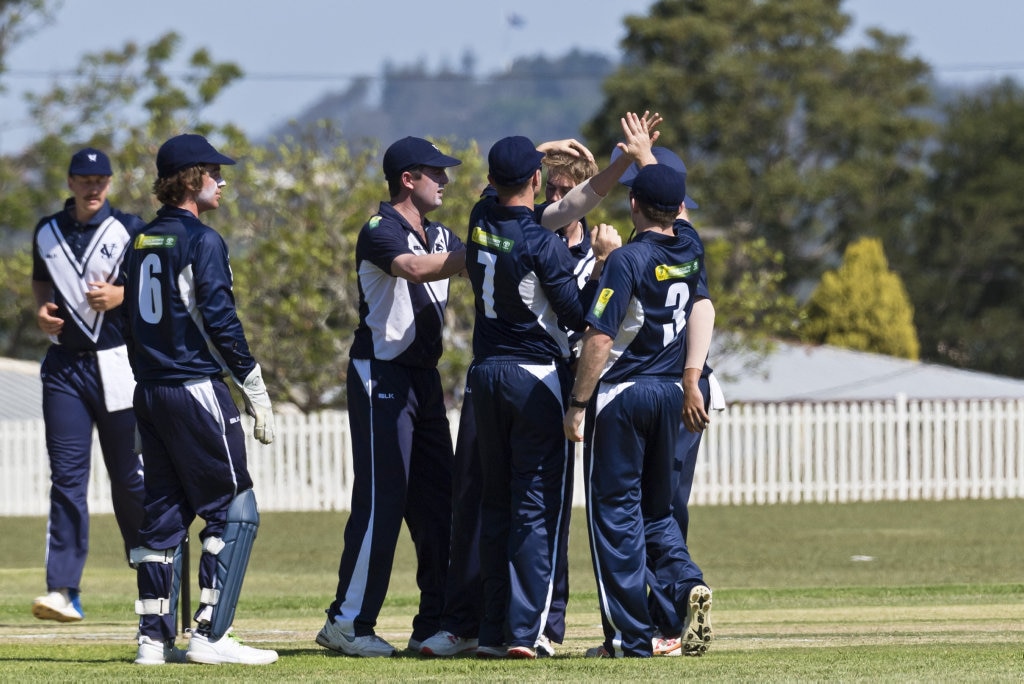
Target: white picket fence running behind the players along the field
x: 753, y: 454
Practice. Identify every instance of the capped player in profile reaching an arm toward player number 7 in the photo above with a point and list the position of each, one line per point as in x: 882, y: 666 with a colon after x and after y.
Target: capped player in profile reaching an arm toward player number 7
x: 402, y: 442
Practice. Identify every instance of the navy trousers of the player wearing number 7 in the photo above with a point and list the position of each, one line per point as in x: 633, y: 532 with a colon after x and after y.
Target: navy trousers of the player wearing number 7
x: 526, y: 461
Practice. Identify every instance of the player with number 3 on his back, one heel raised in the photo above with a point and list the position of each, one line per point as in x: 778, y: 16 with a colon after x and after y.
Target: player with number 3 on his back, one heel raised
x: 650, y: 329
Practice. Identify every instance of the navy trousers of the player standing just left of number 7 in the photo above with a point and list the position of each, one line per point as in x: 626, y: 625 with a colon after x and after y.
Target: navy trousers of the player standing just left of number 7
x: 402, y: 468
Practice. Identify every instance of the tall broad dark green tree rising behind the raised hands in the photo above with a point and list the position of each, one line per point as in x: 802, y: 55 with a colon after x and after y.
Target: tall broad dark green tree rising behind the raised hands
x: 788, y: 138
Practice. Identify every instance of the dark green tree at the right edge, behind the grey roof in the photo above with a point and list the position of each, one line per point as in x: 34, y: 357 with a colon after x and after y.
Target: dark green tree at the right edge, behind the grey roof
x: 964, y: 265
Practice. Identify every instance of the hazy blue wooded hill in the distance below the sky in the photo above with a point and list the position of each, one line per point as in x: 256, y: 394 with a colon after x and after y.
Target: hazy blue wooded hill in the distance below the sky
x: 539, y: 98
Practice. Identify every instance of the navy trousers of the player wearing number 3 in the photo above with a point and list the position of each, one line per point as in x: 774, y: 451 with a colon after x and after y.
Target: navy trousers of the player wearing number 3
x: 630, y: 451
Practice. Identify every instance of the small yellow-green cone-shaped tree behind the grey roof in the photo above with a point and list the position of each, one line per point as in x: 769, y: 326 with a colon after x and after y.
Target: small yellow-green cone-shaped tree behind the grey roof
x: 863, y: 306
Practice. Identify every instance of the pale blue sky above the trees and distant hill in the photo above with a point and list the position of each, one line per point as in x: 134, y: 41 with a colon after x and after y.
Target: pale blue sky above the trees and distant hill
x: 296, y: 52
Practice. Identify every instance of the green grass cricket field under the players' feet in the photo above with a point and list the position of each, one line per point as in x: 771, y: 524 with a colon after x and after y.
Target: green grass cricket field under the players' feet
x: 914, y: 591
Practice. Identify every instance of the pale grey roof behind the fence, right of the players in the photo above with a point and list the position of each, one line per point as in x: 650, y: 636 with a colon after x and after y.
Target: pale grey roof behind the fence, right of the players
x: 798, y: 373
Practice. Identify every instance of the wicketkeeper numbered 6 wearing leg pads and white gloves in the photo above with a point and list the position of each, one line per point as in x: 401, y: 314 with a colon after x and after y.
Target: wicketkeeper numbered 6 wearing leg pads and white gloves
x: 185, y: 336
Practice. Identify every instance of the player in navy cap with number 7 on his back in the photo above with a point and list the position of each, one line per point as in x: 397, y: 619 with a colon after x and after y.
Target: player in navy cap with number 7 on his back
x: 527, y: 296
